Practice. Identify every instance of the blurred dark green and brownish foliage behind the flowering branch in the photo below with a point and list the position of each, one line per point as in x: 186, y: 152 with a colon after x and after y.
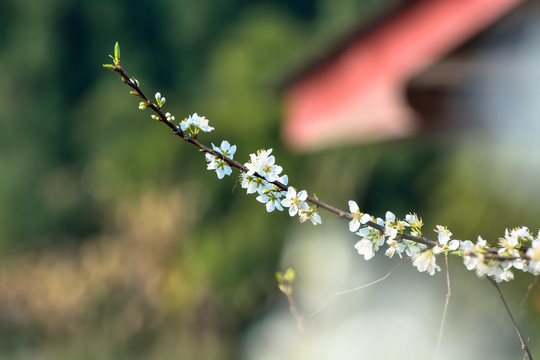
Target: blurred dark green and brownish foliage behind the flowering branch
x: 116, y: 242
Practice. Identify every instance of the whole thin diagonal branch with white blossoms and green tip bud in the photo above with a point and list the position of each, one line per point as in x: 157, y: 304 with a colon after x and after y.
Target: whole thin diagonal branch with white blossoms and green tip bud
x: 518, y: 249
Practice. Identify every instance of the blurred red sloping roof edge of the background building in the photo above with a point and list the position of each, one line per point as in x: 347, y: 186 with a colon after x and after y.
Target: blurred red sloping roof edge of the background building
x: 357, y: 94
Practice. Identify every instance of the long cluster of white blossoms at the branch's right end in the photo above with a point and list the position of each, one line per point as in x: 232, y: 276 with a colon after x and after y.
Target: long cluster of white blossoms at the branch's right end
x: 518, y: 249
